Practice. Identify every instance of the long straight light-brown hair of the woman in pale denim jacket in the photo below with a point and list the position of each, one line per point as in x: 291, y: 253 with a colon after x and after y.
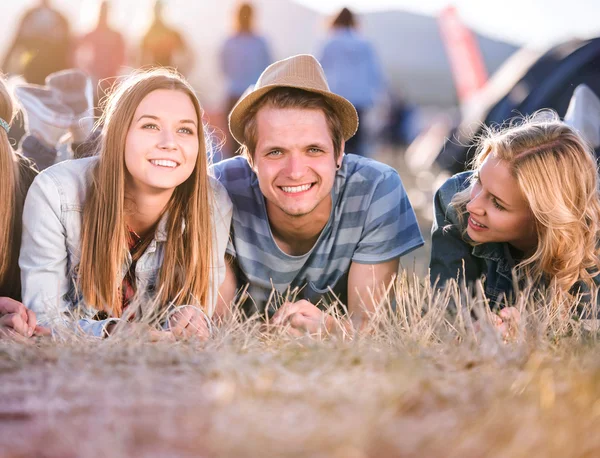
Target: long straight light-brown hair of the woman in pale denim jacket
x: 185, y: 271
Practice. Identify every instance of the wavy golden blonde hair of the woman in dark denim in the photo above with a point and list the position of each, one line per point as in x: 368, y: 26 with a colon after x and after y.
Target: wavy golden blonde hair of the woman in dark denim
x: 557, y: 173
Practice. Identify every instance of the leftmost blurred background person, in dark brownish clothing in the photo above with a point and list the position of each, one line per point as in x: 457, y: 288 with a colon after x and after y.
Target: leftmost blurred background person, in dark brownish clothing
x: 42, y: 44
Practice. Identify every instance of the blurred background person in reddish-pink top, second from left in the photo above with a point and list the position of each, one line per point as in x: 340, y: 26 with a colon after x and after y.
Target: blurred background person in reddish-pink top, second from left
x: 101, y: 53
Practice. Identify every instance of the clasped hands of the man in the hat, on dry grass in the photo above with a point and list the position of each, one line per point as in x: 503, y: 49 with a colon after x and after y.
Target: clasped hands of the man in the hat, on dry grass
x: 302, y: 317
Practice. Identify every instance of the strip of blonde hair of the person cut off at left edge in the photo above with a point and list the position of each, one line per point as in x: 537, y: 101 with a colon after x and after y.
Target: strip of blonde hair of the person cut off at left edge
x: 8, y: 183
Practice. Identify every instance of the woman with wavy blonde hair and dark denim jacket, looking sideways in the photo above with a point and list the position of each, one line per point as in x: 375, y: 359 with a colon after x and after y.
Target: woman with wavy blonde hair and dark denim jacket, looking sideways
x: 530, y: 206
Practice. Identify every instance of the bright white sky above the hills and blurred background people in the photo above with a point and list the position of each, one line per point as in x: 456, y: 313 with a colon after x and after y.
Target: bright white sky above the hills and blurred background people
x: 521, y: 22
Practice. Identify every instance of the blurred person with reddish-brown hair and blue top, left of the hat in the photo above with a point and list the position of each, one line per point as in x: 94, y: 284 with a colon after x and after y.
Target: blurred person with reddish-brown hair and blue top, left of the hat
x: 244, y: 56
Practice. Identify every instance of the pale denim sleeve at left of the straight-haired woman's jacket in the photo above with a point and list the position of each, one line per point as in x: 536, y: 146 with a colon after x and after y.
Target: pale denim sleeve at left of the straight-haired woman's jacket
x: 44, y: 260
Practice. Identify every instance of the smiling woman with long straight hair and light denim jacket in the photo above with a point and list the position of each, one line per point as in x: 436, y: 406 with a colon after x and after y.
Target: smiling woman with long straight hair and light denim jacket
x: 142, y: 222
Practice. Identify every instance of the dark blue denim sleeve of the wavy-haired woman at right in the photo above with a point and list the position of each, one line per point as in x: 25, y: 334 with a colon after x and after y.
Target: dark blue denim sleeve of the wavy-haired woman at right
x: 450, y: 253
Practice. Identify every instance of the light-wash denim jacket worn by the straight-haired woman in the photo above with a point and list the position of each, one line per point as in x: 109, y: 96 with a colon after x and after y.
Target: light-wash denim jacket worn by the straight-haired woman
x: 51, y: 247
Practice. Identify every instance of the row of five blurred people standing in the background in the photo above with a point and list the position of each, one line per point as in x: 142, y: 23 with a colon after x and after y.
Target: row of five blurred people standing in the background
x: 44, y: 43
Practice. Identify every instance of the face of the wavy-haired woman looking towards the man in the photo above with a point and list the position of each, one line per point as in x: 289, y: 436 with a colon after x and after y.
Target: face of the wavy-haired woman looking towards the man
x: 498, y: 211
